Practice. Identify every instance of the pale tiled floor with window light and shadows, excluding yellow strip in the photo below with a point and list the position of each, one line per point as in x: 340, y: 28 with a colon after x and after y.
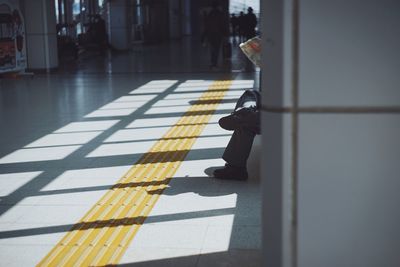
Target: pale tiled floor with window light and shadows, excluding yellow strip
x: 66, y: 138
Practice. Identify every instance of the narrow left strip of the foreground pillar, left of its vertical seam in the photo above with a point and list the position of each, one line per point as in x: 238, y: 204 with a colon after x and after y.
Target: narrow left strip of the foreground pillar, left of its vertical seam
x: 277, y: 129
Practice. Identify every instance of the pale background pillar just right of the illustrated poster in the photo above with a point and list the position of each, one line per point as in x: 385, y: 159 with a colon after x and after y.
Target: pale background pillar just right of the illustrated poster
x: 40, y: 22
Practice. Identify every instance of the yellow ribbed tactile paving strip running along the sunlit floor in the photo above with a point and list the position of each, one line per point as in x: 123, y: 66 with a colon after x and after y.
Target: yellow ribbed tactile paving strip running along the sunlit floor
x: 105, y: 232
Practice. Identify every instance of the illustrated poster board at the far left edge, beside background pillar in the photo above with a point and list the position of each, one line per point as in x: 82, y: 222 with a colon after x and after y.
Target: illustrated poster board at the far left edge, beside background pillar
x: 12, y: 37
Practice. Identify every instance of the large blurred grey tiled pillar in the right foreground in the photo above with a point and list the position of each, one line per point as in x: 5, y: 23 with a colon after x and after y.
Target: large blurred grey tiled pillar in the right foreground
x: 331, y: 127
